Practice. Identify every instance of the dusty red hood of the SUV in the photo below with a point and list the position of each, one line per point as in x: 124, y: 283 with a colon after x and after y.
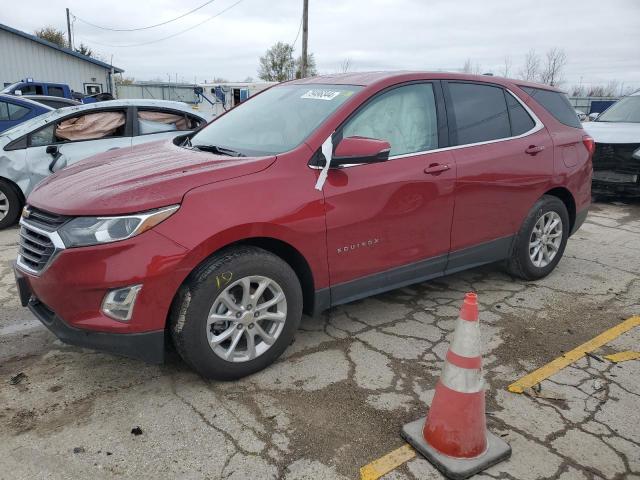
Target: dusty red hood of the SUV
x: 145, y: 177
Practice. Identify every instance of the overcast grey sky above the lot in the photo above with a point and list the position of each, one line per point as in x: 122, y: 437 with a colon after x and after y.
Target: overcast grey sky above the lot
x: 601, y: 38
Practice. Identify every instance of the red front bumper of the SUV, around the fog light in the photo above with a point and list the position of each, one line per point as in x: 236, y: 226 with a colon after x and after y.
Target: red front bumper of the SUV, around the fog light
x: 67, y: 296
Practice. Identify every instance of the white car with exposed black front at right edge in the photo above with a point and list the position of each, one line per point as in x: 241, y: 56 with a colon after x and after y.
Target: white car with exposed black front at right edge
x: 616, y: 160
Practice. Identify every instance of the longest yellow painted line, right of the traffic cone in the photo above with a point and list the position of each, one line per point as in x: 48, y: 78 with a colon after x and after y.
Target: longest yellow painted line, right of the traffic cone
x: 568, y: 358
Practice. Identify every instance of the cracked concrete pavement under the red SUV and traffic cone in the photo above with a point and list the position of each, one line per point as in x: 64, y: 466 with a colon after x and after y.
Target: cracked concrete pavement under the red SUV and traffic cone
x: 338, y: 397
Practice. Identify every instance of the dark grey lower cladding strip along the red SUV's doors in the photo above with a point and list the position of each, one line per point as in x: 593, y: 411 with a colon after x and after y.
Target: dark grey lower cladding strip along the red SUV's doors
x: 417, y: 272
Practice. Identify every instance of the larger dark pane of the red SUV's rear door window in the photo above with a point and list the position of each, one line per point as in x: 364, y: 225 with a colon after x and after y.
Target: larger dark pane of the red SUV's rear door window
x: 480, y: 113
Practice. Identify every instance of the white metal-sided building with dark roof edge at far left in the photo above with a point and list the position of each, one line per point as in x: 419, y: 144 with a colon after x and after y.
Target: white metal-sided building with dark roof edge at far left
x: 23, y: 55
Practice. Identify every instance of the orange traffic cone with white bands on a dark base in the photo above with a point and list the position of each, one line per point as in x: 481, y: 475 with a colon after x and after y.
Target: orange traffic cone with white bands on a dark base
x: 454, y: 436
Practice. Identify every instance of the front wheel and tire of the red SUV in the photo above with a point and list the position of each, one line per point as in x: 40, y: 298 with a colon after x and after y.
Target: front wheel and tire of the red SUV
x: 216, y: 289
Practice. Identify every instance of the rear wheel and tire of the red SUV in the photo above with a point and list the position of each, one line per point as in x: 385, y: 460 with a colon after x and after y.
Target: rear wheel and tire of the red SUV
x: 521, y: 263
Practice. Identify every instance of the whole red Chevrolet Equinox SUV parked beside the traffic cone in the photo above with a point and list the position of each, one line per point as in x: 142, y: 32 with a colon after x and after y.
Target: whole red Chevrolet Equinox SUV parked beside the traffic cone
x: 313, y: 193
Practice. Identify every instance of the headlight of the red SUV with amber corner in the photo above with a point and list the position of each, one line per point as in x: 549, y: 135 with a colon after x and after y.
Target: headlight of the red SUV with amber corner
x: 83, y: 231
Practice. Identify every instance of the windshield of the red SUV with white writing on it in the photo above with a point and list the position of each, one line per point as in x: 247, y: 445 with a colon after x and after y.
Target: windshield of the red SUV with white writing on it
x: 275, y: 121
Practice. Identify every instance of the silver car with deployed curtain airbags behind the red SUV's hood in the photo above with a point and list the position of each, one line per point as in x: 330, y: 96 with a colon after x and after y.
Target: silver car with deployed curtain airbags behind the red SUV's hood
x: 38, y: 147
